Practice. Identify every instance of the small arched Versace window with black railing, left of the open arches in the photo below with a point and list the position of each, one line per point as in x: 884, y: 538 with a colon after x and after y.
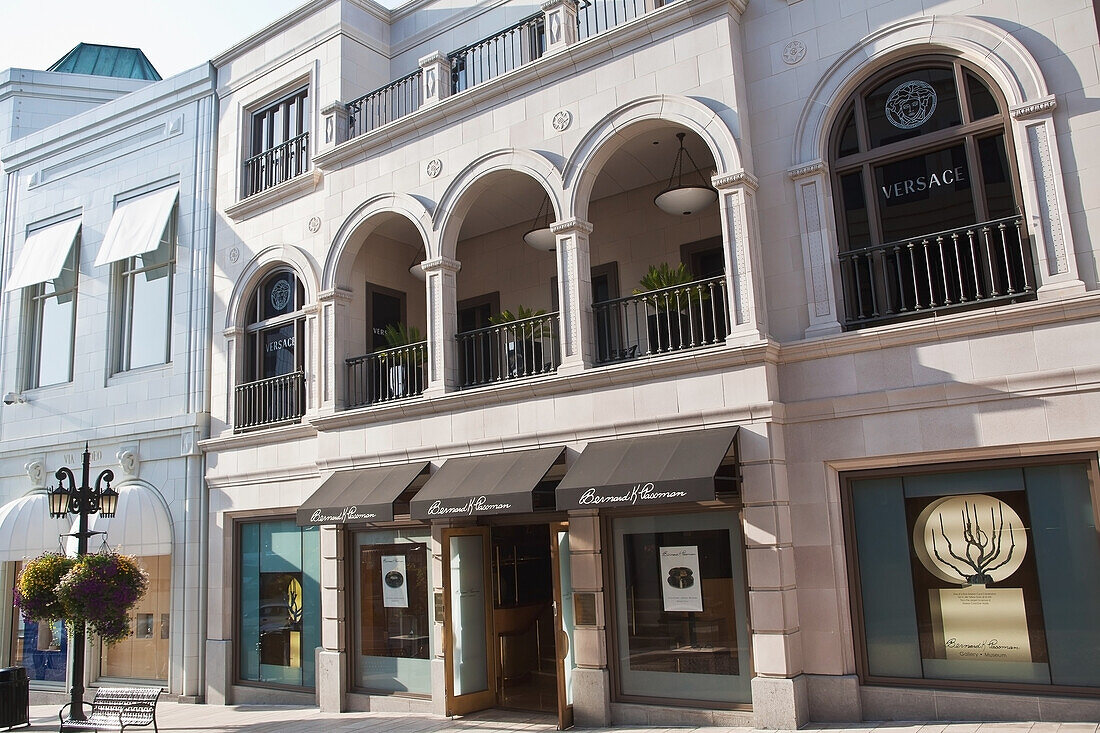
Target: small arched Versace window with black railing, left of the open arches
x: 273, y: 390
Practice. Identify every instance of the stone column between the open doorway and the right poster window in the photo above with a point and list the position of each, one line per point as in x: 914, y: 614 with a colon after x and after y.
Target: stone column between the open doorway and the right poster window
x: 592, y: 688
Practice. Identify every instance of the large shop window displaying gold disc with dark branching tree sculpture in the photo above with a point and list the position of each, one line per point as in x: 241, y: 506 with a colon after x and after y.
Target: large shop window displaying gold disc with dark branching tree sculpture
x: 984, y: 576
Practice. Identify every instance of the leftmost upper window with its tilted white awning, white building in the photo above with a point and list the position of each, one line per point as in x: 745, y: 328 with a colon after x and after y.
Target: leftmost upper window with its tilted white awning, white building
x: 47, y: 270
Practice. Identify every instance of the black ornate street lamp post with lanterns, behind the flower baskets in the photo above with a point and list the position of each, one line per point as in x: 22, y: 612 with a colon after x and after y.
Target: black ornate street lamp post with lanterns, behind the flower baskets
x: 83, y: 501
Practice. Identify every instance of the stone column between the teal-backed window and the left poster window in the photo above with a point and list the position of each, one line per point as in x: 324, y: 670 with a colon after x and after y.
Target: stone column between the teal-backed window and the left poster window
x: 333, y: 657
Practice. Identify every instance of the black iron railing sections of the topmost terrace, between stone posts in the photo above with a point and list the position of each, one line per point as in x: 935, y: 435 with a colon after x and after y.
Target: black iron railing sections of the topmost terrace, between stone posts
x: 502, y: 52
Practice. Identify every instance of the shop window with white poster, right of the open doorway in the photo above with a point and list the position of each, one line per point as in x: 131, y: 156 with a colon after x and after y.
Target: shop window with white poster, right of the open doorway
x: 680, y: 608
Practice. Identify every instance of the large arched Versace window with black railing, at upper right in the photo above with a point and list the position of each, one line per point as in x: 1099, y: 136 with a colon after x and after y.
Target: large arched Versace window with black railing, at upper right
x: 927, y: 195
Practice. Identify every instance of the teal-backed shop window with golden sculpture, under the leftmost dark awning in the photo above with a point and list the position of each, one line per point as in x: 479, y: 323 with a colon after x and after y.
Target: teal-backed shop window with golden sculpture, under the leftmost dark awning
x: 281, y: 603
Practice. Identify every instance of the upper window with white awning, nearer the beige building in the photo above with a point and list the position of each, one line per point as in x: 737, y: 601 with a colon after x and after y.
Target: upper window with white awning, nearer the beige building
x: 142, y: 240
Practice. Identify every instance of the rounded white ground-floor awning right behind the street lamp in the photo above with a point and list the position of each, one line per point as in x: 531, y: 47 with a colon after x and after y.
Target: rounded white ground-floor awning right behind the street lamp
x: 140, y: 527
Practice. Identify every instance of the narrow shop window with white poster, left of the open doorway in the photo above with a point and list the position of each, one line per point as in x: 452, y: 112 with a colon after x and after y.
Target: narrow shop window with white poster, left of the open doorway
x: 392, y: 584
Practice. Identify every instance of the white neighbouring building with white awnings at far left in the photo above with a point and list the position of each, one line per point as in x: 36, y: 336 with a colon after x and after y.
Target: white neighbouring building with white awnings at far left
x: 106, y: 300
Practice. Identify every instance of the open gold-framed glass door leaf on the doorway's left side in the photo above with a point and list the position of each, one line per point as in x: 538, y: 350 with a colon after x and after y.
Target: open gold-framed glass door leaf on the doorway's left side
x: 469, y: 659
